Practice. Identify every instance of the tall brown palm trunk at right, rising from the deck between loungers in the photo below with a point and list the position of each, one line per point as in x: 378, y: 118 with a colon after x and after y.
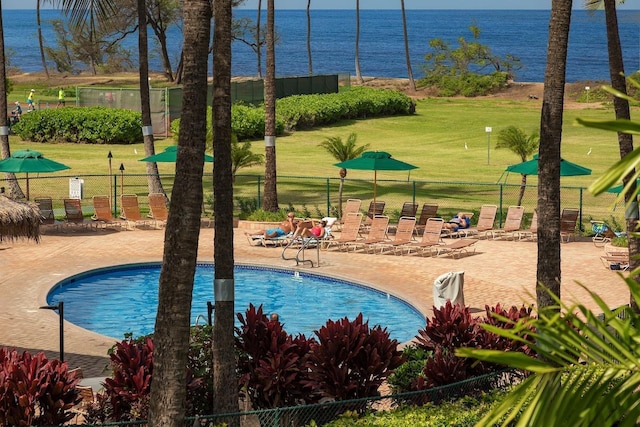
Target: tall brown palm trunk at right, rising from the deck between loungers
x: 548, y: 266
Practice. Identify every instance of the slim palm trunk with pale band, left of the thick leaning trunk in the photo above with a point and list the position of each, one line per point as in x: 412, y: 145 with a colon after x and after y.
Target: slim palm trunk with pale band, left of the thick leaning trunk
x: 153, y: 176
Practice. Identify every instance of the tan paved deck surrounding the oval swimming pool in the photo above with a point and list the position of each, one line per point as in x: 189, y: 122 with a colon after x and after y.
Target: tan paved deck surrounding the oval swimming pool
x: 498, y: 272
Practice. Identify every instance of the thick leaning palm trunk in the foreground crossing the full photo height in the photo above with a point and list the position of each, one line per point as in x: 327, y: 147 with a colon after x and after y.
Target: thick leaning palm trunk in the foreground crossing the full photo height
x: 171, y: 337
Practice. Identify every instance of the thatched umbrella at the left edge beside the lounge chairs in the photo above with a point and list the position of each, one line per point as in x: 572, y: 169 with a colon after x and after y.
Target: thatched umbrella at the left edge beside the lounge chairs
x: 19, y: 220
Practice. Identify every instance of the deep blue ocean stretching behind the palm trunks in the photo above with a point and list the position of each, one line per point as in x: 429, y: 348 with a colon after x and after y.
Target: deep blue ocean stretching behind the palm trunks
x: 522, y: 33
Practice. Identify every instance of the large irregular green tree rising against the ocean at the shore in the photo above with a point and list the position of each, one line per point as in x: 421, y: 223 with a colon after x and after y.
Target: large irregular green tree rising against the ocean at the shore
x: 461, y: 70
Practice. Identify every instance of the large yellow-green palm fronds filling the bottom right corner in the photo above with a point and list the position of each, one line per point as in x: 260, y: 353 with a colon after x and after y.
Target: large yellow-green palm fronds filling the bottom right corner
x: 585, y: 372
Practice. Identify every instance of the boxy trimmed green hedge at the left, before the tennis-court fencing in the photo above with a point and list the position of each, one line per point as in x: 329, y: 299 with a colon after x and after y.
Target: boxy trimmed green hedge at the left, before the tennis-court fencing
x: 92, y: 125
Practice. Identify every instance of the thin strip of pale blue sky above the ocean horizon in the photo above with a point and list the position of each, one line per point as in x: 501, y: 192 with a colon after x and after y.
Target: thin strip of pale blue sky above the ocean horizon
x: 384, y: 4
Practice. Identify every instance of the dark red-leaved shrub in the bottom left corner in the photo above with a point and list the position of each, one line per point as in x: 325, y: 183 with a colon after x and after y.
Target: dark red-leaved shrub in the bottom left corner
x: 35, y: 390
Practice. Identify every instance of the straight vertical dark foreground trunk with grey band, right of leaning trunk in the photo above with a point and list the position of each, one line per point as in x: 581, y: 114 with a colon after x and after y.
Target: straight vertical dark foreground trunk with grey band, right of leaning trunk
x: 224, y: 373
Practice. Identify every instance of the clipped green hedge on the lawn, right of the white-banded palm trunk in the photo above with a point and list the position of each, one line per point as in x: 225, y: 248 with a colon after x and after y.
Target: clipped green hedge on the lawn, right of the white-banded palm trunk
x: 307, y: 111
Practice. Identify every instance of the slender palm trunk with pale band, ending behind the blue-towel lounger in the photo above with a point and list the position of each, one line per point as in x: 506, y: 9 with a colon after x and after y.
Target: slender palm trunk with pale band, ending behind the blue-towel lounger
x: 270, y: 188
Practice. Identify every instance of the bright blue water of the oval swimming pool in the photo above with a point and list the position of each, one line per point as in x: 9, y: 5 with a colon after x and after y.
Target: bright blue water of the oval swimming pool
x: 122, y: 299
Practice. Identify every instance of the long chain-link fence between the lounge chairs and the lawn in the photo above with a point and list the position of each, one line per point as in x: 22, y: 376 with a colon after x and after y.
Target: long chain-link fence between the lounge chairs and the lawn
x: 318, y: 196
